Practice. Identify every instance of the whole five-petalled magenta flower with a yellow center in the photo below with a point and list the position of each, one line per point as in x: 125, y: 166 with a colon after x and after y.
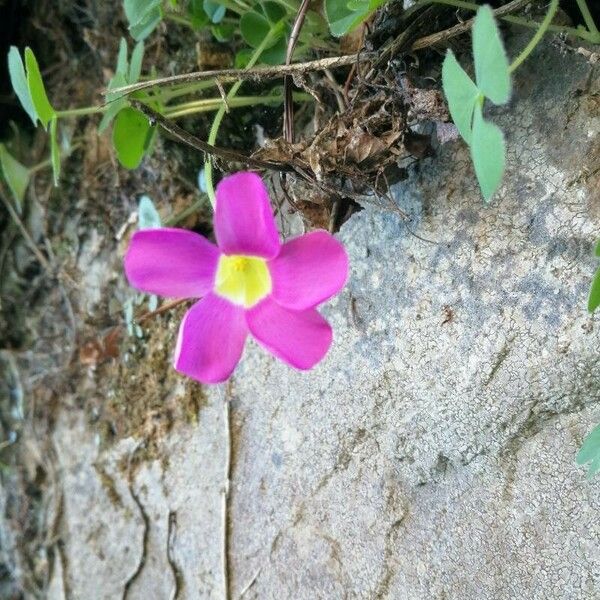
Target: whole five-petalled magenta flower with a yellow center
x: 250, y: 283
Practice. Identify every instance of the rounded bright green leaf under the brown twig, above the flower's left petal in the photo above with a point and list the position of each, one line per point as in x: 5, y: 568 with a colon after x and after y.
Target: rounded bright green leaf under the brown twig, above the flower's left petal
x: 132, y: 135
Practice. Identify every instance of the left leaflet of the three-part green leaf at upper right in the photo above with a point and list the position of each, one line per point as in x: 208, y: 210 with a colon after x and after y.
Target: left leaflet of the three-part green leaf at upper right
x: 461, y: 94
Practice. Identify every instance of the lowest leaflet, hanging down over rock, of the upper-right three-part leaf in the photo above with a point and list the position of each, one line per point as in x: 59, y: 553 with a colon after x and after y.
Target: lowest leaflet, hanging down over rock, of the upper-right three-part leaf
x: 487, y: 153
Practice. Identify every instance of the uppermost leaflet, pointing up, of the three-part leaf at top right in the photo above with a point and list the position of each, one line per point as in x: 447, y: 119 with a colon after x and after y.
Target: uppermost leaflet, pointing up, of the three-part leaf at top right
x: 491, y: 63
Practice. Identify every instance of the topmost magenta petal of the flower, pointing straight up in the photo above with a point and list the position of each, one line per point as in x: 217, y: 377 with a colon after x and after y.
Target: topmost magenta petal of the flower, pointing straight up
x: 244, y: 222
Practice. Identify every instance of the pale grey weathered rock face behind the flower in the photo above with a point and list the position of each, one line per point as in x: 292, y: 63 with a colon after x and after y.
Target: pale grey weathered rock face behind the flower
x: 432, y: 454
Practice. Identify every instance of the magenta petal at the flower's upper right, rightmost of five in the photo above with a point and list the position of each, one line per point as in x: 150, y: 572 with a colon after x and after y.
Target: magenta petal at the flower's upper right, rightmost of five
x: 308, y: 270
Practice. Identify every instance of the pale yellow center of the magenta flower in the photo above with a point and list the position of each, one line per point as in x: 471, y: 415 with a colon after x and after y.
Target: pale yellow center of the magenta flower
x: 243, y: 280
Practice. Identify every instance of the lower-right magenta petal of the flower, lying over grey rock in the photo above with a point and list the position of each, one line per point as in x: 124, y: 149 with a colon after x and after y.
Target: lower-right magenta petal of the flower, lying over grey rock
x: 299, y: 338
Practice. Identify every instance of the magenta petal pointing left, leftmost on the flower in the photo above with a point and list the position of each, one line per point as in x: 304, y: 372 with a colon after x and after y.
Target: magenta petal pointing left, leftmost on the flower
x: 171, y: 262
